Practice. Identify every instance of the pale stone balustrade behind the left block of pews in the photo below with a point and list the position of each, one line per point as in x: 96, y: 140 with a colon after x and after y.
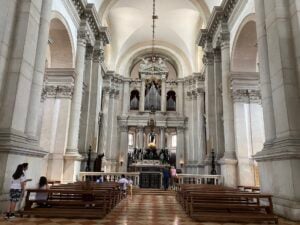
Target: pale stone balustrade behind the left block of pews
x: 111, y: 177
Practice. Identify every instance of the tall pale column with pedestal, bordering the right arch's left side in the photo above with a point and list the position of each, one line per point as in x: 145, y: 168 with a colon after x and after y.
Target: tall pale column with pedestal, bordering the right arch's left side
x: 228, y: 162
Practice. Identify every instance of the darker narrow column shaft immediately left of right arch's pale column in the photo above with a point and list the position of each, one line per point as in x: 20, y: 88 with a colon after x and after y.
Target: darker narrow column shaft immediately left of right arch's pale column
x: 219, y: 146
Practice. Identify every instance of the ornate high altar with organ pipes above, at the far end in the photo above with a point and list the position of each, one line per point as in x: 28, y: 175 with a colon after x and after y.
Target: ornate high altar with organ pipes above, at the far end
x: 152, y: 122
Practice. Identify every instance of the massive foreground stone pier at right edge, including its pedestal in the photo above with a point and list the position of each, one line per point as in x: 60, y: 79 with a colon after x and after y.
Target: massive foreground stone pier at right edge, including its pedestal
x: 279, y: 162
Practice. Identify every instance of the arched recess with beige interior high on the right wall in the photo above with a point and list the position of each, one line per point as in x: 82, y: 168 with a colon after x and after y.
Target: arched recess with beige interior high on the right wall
x: 244, y: 50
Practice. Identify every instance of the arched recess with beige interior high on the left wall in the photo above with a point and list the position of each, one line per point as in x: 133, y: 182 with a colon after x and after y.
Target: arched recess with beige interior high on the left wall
x: 60, y: 51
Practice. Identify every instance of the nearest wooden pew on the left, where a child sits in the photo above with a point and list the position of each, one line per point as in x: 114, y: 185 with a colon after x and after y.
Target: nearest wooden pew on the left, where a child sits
x: 68, y: 204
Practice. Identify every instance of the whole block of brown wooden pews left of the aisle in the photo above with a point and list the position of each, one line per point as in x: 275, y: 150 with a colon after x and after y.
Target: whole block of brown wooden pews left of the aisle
x: 76, y: 200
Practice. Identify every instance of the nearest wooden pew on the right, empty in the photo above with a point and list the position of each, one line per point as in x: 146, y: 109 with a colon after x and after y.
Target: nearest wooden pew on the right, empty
x: 232, y: 207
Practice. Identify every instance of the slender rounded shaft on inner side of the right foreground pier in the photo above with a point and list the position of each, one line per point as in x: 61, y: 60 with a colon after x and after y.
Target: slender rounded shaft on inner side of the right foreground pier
x: 264, y: 72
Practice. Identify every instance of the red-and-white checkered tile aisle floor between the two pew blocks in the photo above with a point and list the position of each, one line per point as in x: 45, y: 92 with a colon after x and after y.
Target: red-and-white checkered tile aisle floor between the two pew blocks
x: 148, y: 209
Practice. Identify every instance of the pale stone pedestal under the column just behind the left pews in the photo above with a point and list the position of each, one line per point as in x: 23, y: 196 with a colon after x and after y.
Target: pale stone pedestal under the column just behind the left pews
x: 72, y: 163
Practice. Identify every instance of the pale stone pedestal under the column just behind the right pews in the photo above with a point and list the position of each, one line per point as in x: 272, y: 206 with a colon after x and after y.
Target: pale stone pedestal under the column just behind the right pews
x: 229, y: 171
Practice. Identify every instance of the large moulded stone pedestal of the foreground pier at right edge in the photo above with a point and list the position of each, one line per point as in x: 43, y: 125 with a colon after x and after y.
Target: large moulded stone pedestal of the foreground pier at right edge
x: 279, y: 166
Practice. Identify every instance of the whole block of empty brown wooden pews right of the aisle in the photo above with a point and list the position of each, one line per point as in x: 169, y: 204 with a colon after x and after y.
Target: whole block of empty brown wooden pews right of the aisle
x: 215, y: 203
